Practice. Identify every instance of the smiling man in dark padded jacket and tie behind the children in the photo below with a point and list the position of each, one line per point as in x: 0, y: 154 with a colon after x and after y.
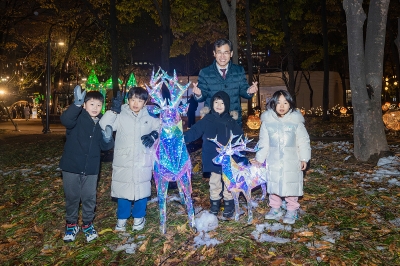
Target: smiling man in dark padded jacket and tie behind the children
x: 223, y: 75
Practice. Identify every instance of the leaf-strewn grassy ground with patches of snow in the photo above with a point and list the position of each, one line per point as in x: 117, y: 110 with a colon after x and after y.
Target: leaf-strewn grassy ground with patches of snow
x: 349, y: 213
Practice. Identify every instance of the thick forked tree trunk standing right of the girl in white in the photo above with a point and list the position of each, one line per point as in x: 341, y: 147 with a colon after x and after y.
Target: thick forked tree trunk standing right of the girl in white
x: 366, y: 69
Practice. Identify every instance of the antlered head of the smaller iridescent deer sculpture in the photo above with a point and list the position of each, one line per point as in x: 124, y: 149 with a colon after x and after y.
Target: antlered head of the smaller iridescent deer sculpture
x: 225, y: 152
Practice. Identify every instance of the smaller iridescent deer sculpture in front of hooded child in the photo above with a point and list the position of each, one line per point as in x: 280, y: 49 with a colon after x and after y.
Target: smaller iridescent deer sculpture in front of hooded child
x: 237, y: 177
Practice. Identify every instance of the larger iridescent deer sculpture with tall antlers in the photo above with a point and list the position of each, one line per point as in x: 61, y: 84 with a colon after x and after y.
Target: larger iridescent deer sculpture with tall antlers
x: 172, y: 158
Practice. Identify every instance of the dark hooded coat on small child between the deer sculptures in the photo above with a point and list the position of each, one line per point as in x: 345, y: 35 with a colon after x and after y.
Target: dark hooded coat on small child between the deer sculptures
x: 214, y: 124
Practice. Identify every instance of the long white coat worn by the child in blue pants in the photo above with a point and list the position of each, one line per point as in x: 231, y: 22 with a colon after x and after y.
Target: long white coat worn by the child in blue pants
x: 133, y: 162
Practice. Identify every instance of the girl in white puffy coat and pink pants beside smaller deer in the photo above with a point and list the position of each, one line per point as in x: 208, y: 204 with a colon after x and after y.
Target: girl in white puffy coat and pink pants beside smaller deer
x: 285, y: 145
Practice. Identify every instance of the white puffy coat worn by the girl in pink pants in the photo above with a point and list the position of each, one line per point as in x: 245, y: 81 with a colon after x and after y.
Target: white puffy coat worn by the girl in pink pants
x: 285, y: 143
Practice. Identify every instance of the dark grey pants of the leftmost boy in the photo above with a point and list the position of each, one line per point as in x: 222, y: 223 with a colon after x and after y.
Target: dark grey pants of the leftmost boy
x: 79, y: 188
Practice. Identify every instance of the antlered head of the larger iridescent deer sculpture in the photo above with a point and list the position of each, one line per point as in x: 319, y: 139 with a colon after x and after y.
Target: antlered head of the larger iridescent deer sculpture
x: 170, y: 111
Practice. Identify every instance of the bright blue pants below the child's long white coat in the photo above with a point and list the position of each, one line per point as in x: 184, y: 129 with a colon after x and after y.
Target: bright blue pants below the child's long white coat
x: 125, y: 209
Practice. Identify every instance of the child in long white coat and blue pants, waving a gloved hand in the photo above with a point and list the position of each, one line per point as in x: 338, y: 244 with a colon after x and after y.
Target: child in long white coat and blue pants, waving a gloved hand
x: 133, y: 160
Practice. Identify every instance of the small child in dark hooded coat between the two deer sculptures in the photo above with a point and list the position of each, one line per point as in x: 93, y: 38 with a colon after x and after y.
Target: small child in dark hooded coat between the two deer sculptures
x: 216, y: 123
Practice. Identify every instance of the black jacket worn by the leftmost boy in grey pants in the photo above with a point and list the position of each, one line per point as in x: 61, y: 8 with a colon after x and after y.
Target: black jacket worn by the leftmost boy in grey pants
x: 84, y: 142
